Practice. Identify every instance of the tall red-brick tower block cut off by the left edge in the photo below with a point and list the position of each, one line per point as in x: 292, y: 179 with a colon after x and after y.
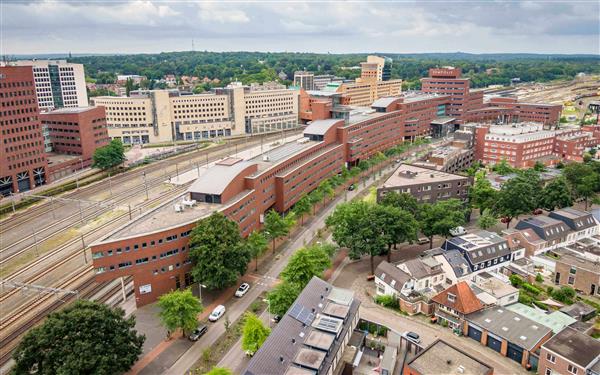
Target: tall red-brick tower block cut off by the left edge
x: 23, y: 163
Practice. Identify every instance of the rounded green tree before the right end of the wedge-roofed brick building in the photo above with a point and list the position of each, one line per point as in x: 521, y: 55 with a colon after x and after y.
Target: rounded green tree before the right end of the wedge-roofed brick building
x: 440, y: 217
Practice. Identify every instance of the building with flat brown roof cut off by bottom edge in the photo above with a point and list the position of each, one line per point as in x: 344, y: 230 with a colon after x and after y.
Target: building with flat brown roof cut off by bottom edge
x: 443, y: 358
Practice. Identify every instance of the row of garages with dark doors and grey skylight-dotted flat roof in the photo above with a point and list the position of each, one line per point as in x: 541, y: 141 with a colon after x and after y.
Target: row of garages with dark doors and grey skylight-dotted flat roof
x: 508, y: 333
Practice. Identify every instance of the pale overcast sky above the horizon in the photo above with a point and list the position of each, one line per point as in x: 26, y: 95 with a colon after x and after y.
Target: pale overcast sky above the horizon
x: 30, y: 27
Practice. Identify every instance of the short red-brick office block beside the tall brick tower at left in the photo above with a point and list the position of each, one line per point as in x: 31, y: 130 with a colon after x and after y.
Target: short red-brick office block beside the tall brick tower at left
x: 75, y: 133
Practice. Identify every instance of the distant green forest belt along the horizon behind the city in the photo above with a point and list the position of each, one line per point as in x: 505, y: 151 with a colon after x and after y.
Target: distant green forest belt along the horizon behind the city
x: 247, y: 67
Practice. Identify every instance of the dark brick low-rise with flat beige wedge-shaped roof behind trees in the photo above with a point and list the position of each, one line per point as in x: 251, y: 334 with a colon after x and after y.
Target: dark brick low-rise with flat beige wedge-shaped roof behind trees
x: 426, y: 185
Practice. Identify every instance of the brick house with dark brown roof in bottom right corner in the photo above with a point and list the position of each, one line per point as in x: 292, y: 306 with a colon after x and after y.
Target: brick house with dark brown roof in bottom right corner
x: 570, y: 352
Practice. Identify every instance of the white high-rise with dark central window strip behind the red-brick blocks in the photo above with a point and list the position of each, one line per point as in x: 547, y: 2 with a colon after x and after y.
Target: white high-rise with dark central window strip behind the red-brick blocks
x: 58, y: 83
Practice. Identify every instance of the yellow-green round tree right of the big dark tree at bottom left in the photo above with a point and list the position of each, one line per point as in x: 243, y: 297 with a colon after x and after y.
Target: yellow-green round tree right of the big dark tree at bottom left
x: 179, y: 309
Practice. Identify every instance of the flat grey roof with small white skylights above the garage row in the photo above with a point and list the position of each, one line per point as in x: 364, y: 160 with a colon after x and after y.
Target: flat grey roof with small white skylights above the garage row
x: 511, y: 326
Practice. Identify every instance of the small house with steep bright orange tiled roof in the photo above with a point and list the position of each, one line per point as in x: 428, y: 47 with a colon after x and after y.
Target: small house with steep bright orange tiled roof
x: 453, y: 304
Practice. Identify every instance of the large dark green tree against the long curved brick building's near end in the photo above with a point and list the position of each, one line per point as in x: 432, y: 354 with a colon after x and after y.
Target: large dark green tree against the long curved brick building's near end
x: 218, y: 255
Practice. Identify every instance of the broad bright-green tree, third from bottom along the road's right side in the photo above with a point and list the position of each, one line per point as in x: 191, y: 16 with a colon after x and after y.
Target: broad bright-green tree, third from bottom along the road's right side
x: 304, y: 264
